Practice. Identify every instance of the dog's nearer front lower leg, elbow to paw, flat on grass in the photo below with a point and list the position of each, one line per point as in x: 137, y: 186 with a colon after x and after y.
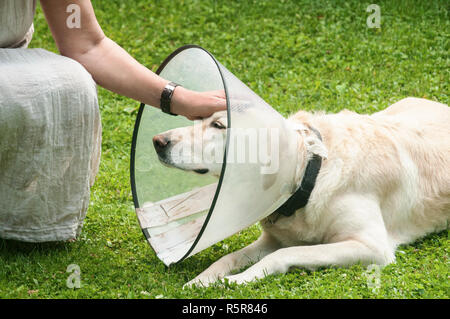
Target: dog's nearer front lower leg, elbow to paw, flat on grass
x: 310, y: 257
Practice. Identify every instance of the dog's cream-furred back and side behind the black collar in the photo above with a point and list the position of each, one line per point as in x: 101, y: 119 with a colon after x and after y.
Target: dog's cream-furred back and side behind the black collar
x: 402, y: 154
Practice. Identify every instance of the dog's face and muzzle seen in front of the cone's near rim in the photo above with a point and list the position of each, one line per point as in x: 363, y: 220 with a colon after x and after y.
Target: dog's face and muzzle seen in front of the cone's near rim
x: 198, y: 148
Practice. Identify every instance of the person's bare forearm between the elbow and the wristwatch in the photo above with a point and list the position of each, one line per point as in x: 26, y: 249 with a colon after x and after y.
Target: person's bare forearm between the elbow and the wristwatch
x: 114, y: 69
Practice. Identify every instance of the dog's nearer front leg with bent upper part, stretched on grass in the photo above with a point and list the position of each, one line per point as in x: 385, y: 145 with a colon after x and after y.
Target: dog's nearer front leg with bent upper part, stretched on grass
x: 360, y: 236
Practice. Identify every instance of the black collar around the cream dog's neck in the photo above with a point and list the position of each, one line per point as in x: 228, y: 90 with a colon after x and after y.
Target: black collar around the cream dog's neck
x: 301, y: 196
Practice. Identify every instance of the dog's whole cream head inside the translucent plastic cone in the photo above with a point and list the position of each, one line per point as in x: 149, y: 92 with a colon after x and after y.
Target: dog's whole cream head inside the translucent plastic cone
x: 257, y: 152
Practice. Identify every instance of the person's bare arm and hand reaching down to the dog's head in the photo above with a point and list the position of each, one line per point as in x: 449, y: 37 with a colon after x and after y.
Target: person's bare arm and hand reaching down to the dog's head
x: 114, y: 69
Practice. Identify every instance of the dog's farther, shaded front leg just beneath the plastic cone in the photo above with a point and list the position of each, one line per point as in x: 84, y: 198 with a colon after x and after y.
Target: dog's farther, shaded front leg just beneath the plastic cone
x: 263, y: 246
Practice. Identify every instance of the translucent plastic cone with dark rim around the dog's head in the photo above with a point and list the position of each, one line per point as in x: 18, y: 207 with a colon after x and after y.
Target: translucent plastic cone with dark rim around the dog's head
x: 197, y: 183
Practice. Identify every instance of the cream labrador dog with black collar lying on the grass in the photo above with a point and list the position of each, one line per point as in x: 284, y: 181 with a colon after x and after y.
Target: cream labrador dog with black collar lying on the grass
x: 385, y: 182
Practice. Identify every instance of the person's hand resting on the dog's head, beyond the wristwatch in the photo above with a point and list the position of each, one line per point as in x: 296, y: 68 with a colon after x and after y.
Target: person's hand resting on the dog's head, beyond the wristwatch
x: 197, y: 105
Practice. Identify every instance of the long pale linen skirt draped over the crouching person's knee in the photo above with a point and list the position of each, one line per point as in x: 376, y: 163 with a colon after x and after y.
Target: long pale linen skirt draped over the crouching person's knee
x: 50, y: 136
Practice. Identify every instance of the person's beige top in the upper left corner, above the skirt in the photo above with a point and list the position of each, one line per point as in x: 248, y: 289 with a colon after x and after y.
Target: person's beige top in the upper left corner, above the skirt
x: 16, y: 23
